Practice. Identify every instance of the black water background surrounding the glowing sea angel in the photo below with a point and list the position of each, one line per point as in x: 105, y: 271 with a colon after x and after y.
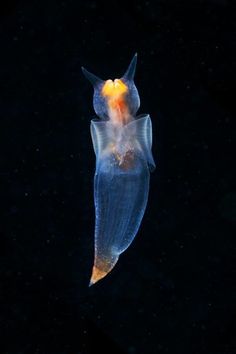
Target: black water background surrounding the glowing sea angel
x: 173, y: 290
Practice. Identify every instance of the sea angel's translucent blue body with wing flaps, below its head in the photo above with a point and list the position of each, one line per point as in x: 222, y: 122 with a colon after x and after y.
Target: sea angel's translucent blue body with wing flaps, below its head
x: 121, y: 185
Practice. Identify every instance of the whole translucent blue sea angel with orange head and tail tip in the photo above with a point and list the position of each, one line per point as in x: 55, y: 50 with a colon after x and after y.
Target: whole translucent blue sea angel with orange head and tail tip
x: 122, y: 143
